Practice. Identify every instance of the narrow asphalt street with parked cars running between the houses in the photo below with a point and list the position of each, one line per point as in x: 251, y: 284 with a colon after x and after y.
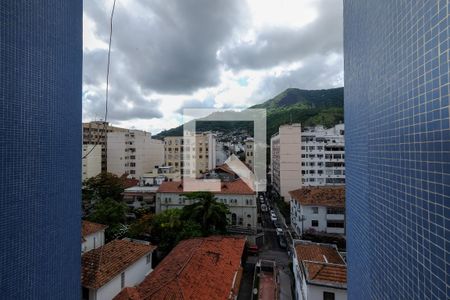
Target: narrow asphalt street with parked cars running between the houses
x: 271, y: 250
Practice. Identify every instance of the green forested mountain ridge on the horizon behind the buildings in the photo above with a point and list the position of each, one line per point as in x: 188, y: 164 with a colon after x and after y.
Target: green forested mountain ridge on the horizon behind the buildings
x: 308, y: 107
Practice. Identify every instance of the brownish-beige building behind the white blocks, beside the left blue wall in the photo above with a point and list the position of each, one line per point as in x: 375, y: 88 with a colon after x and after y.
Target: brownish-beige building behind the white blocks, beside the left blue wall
x: 95, y: 133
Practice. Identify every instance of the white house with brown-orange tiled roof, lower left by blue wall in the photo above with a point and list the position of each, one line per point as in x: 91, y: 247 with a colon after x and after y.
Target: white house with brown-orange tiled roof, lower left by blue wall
x: 107, y: 270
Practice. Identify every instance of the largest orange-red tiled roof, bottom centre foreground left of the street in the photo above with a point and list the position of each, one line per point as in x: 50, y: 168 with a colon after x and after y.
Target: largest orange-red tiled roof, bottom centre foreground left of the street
x: 200, y: 268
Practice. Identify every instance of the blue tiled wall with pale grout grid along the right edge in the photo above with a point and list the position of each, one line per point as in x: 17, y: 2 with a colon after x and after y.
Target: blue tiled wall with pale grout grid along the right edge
x: 397, y: 148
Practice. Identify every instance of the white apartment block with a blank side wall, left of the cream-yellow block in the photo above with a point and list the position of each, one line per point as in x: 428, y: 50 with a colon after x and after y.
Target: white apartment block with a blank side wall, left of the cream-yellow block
x: 133, y: 152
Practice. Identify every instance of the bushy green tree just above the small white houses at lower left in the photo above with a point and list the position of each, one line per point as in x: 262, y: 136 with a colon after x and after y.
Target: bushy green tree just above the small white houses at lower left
x: 111, y: 213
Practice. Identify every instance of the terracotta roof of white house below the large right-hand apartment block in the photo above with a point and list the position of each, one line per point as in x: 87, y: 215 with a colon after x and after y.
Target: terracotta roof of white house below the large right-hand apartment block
x: 331, y: 196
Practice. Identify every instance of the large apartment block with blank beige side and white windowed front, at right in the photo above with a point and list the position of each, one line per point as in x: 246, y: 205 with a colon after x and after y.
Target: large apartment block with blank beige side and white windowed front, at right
x: 313, y: 156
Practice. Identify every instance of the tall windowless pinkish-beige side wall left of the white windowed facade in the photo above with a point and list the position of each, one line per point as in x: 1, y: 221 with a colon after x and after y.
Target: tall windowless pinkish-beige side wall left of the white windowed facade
x: 285, y: 159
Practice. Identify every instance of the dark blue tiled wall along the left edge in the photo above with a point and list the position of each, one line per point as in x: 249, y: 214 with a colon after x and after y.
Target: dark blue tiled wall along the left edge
x: 40, y: 148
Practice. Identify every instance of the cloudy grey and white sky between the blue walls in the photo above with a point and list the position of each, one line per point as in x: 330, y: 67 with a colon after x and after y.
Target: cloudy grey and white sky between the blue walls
x: 172, y: 54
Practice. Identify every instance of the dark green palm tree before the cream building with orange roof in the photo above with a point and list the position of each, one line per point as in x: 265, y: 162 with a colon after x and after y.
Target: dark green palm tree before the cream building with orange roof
x: 206, y: 211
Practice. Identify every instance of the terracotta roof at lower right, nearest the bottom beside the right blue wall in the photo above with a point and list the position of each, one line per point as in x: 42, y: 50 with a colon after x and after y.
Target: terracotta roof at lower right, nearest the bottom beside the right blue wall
x: 321, y: 263
